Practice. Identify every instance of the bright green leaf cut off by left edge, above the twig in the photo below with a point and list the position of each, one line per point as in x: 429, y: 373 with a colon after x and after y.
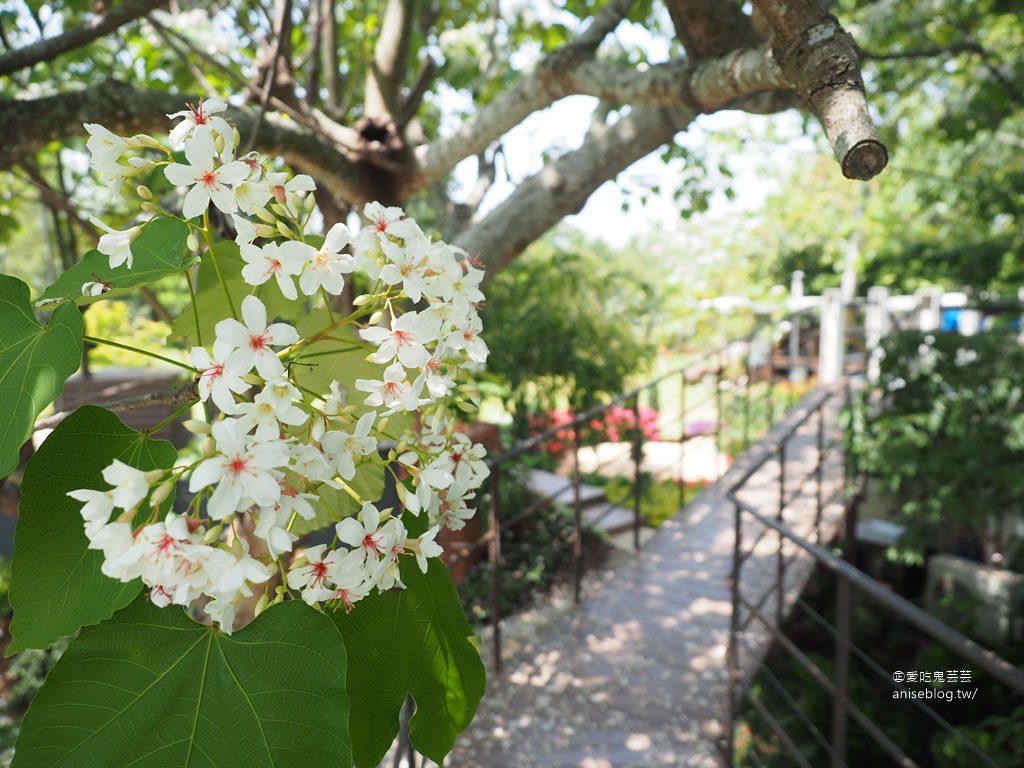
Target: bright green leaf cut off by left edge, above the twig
x: 35, y: 363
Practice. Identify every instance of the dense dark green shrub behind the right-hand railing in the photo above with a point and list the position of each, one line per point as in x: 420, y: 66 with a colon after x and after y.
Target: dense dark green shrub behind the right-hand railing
x: 944, y: 431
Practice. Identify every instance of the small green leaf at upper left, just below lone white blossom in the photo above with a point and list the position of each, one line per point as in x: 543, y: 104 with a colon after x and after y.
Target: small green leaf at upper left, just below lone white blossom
x: 158, y: 251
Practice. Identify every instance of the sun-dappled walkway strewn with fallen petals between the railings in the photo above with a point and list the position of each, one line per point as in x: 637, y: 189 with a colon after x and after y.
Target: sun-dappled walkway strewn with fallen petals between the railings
x: 635, y: 675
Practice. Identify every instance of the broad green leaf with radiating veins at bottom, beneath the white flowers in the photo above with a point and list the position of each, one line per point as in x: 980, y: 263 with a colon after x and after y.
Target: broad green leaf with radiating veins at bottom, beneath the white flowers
x: 152, y: 688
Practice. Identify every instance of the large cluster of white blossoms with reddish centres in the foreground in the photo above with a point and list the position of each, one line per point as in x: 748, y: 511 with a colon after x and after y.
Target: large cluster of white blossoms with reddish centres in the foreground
x: 274, y: 447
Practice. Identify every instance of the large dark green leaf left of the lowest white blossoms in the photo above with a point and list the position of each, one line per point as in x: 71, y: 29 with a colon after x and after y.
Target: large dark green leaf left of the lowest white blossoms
x: 58, y: 586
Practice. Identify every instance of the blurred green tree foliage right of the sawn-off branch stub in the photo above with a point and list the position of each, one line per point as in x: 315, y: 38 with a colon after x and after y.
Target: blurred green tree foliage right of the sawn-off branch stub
x: 949, y: 211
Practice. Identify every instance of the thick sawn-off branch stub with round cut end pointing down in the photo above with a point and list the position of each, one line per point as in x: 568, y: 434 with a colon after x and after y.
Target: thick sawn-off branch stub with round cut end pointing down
x: 821, y: 60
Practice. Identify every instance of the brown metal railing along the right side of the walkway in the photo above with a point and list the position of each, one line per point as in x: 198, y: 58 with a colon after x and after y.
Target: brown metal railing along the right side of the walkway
x: 780, y: 598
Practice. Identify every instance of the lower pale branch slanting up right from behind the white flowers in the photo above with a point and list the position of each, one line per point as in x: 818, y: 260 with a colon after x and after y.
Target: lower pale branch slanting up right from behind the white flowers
x: 565, y: 185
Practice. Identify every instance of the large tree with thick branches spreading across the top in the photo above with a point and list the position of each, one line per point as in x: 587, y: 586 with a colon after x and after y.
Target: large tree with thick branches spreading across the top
x: 383, y: 103
